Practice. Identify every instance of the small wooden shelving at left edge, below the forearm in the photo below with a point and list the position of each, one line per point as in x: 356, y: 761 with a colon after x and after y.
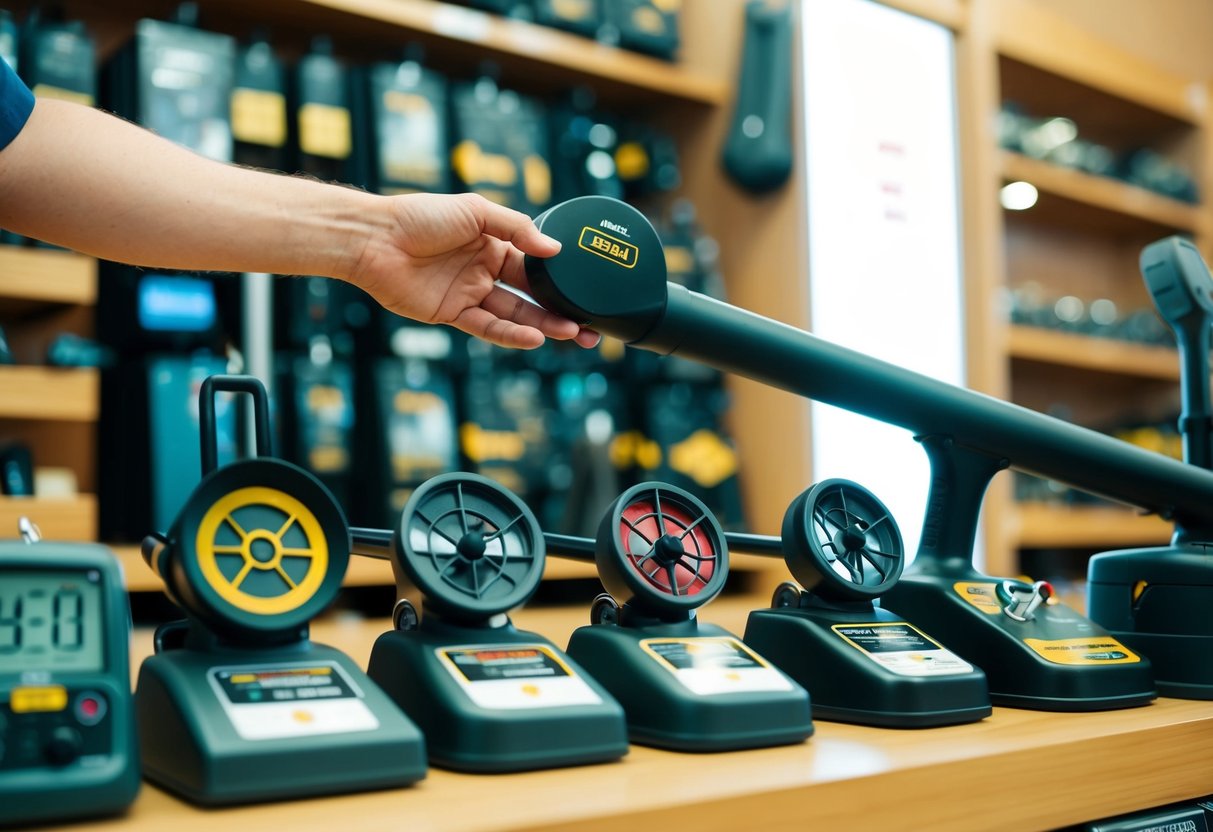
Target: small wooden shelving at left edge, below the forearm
x: 53, y: 411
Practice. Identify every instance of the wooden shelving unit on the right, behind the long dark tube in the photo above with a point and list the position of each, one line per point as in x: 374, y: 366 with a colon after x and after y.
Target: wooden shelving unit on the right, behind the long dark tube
x: 1083, y: 238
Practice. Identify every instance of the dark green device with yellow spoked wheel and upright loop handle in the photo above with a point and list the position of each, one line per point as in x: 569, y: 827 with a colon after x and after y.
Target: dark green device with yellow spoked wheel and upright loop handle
x: 238, y: 705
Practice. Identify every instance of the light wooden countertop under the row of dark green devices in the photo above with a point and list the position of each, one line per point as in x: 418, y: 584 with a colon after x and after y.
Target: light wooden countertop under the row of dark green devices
x: 1016, y: 771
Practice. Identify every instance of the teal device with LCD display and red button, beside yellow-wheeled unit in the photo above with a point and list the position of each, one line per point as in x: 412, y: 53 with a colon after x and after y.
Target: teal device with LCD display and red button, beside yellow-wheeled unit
x: 67, y: 723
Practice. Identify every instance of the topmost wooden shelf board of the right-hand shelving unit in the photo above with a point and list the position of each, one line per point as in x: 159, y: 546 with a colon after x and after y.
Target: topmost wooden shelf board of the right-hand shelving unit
x: 1037, y: 37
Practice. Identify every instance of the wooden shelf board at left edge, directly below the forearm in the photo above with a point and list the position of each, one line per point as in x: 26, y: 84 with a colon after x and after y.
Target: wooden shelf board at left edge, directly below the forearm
x: 32, y: 278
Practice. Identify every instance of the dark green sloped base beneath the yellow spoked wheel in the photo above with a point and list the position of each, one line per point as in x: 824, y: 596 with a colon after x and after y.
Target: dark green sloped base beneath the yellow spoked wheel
x: 227, y: 725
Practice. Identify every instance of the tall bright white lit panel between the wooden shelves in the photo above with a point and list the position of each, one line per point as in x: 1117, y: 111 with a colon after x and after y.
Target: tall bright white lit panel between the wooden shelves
x: 884, y: 237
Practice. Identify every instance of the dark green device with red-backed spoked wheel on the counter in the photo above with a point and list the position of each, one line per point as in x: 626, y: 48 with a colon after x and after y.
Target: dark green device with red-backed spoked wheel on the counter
x: 685, y: 685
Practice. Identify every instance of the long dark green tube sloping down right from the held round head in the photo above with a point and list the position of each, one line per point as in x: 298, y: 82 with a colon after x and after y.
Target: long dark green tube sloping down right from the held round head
x: 737, y: 341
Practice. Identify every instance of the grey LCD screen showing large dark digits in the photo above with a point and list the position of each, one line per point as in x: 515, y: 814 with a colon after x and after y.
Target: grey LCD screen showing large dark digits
x: 50, y: 620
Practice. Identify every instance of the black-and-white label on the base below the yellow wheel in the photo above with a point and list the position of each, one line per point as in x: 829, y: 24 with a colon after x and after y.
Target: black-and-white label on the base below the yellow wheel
x: 272, y: 703
